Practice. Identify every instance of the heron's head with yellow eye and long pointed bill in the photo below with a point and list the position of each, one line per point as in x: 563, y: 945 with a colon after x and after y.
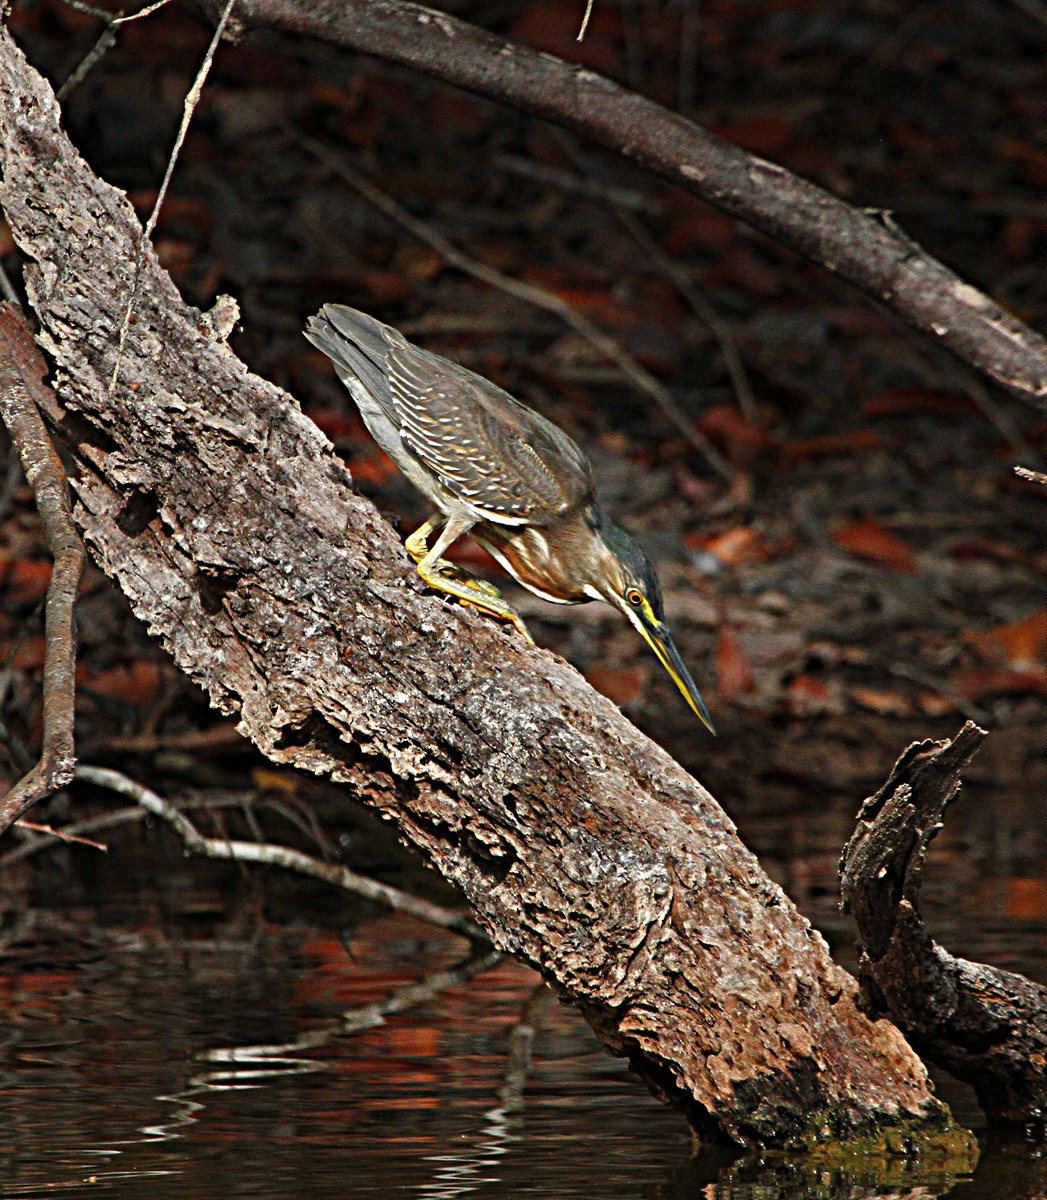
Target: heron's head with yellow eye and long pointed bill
x: 627, y: 580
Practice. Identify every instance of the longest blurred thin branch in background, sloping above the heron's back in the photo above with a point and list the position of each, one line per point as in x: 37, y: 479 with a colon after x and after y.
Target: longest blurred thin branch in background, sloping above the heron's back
x: 637, y: 375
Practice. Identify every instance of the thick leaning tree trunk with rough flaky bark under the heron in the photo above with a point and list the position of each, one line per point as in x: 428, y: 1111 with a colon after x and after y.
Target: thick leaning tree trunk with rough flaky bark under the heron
x: 583, y: 848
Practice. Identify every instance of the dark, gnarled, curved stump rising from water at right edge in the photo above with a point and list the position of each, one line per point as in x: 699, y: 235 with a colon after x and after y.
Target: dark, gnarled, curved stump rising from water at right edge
x: 984, y: 1025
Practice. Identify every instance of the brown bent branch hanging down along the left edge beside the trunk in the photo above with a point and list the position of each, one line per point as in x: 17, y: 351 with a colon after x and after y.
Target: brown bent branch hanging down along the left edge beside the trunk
x: 22, y: 387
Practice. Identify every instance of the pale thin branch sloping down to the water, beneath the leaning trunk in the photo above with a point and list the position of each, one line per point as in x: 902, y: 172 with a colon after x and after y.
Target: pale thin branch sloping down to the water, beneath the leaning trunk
x: 280, y: 856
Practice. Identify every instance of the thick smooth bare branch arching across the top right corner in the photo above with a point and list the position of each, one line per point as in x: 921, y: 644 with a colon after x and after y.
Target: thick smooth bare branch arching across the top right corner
x: 866, y: 249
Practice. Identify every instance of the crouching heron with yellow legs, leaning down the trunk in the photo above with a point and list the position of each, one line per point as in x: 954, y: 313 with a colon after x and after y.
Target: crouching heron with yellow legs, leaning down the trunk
x: 499, y: 471
